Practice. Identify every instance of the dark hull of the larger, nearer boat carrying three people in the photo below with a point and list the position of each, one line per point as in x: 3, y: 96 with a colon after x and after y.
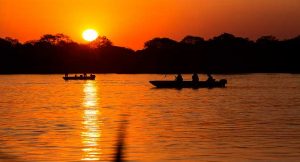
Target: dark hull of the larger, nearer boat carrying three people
x: 189, y: 84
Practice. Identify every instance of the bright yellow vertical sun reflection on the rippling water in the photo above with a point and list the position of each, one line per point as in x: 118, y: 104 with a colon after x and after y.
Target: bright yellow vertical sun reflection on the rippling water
x: 92, y: 132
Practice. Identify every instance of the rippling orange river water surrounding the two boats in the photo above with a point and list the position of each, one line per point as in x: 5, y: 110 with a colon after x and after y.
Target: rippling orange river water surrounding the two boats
x: 44, y: 118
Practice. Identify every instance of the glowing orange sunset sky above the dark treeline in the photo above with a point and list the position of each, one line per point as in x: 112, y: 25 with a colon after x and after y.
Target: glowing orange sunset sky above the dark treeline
x: 130, y: 23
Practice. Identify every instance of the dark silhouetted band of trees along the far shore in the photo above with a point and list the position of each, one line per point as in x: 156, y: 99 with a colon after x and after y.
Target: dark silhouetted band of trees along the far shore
x: 222, y: 54
